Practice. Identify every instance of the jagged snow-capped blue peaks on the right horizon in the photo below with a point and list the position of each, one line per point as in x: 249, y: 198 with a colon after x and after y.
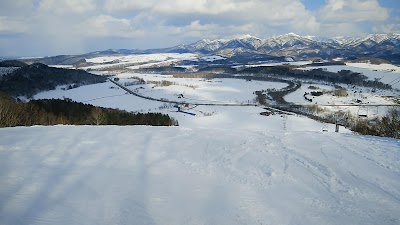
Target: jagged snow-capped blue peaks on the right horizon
x: 299, y: 46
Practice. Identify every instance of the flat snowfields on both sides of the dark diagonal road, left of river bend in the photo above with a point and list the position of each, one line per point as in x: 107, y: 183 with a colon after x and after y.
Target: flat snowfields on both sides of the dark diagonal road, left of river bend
x: 193, y: 90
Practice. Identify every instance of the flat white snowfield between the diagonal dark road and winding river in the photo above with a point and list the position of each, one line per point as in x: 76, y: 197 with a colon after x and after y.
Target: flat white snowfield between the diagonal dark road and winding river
x: 203, y: 90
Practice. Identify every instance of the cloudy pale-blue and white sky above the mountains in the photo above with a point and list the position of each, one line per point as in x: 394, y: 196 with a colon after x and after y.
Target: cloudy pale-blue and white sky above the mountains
x: 50, y: 27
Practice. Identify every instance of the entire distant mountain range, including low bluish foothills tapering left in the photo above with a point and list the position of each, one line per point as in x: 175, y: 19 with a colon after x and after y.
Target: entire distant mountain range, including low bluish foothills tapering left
x: 384, y: 46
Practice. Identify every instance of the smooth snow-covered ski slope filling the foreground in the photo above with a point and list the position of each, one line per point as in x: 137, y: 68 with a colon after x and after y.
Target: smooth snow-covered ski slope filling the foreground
x: 172, y: 175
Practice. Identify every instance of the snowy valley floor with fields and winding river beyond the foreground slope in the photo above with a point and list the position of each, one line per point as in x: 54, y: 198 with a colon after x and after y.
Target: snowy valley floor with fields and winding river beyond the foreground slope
x: 220, y: 83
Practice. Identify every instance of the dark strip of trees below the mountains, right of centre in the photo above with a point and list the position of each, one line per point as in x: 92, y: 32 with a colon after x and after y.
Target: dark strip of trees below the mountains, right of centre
x: 343, y: 76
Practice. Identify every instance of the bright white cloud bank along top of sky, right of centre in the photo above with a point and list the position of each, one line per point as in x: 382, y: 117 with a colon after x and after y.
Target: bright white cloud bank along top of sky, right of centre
x: 269, y: 15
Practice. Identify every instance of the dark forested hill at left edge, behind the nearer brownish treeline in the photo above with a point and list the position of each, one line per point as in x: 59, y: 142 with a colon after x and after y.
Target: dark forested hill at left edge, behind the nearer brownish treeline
x: 29, y: 80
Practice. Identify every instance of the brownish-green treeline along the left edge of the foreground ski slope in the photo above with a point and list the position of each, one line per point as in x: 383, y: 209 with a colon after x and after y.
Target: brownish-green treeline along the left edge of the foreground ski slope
x: 55, y: 111
